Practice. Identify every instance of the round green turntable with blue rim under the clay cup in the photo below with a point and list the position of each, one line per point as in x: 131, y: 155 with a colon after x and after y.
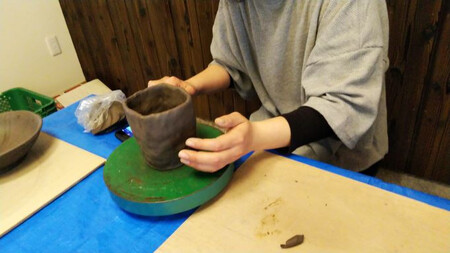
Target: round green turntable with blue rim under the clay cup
x: 141, y: 189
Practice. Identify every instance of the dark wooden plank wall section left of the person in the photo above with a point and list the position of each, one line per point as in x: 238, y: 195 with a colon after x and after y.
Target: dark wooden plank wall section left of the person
x: 125, y: 43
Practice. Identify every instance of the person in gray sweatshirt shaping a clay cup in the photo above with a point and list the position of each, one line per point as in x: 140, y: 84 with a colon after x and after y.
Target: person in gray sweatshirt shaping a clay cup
x: 318, y: 69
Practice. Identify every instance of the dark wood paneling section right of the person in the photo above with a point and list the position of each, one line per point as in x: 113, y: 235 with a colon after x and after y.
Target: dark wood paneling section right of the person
x: 418, y: 103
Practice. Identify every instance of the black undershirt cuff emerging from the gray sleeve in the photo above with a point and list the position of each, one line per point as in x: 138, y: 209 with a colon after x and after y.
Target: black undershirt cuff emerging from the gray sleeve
x: 307, y: 125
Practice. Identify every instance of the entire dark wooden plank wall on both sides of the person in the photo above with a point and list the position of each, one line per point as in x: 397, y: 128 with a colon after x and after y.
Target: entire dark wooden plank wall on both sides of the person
x: 125, y: 43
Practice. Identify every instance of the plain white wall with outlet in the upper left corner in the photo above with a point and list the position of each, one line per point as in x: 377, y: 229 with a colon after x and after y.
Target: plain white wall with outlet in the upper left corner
x: 24, y: 58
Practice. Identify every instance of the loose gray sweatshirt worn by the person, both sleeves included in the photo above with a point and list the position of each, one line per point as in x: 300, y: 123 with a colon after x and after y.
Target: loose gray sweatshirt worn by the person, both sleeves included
x: 330, y: 55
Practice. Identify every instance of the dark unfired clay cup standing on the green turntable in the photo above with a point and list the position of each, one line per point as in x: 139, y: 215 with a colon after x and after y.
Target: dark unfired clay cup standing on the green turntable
x: 161, y: 118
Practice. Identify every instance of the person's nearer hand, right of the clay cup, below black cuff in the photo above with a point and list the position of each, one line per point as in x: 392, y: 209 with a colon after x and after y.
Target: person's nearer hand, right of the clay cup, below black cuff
x: 218, y: 152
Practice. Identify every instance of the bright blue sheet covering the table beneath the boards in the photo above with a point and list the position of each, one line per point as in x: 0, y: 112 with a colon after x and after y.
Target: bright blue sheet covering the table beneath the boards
x: 85, y: 218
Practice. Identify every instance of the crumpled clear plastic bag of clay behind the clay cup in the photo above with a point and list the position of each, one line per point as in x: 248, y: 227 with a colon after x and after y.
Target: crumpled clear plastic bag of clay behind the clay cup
x: 99, y: 112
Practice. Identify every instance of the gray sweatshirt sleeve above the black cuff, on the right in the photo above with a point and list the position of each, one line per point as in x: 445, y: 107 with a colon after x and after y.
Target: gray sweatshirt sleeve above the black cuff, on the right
x: 344, y: 74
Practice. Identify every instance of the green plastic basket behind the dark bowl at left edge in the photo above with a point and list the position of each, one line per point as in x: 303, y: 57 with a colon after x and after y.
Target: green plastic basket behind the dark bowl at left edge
x: 23, y: 99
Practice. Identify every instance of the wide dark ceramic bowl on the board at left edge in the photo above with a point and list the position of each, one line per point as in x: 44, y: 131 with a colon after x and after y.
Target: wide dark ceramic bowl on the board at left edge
x: 18, y: 132
